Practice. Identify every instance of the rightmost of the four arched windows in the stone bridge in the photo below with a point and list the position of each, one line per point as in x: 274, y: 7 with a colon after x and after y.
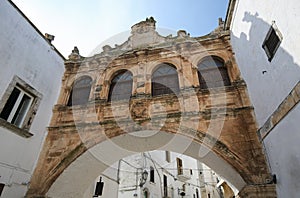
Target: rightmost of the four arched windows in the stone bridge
x: 212, y: 73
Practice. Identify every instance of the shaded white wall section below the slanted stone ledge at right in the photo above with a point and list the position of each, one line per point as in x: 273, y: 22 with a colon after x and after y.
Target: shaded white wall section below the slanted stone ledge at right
x: 283, y: 150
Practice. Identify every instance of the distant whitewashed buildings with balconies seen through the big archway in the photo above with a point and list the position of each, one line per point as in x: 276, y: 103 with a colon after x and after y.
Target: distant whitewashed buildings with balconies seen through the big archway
x: 159, y: 174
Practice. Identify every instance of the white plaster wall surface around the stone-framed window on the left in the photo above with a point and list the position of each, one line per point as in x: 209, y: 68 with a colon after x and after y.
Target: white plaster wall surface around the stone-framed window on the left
x: 23, y: 52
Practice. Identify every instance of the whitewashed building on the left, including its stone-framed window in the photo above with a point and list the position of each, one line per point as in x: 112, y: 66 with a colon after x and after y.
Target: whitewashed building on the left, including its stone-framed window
x: 30, y: 80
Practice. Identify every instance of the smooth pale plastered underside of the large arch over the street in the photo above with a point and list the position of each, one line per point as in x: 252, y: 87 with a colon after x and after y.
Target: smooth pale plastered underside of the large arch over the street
x: 103, y: 155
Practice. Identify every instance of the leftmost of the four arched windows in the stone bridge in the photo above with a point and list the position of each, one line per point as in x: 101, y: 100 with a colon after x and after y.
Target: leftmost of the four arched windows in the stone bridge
x: 80, y: 92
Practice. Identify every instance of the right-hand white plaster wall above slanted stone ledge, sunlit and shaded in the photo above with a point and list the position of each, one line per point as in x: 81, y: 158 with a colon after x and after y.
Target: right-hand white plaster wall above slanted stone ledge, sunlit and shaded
x: 268, y: 82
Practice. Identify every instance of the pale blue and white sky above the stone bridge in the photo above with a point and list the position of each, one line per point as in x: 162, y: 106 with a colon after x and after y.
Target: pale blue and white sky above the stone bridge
x: 89, y: 23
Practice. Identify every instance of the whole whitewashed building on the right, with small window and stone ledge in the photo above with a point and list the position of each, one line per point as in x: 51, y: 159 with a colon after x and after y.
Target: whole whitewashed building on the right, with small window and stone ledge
x: 265, y: 37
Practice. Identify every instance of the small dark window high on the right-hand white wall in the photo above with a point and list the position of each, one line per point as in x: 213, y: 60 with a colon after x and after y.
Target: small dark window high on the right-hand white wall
x: 272, y: 41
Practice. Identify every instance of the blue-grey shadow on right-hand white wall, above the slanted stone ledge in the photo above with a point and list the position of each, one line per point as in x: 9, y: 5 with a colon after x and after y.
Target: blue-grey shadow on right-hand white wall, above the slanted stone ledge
x: 269, y: 82
